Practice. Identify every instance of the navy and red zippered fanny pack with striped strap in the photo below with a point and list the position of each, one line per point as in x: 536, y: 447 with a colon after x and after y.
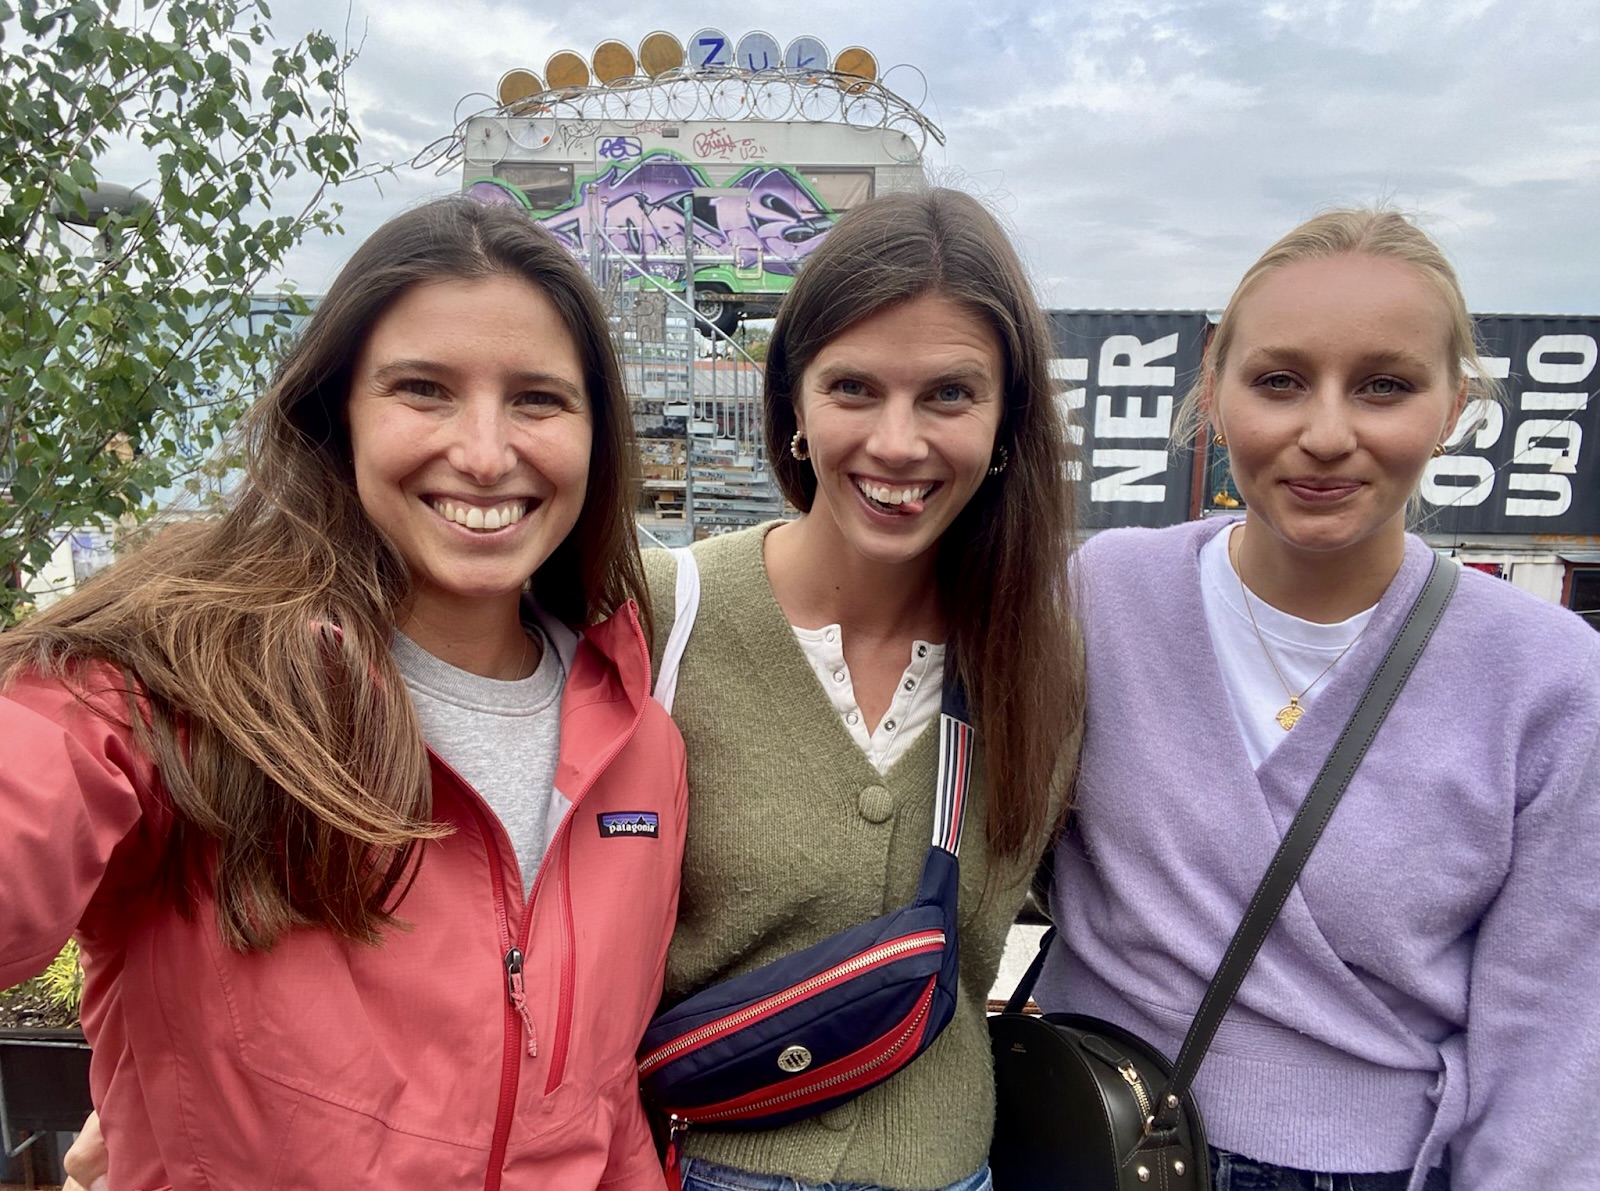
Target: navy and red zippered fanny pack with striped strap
x: 817, y: 1029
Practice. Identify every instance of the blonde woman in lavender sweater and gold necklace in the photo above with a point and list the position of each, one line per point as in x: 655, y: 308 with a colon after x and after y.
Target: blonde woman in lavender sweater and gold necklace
x: 1425, y: 1014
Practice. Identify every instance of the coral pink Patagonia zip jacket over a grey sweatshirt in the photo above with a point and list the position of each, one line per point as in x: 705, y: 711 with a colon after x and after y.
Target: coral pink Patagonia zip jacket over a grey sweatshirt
x: 332, y: 1065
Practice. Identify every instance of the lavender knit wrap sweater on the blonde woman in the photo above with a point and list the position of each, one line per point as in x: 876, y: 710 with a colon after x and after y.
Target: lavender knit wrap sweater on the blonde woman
x: 1434, y: 984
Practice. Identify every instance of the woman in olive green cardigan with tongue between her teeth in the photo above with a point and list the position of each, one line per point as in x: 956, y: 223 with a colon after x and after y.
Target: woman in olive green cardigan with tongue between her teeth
x: 911, y: 419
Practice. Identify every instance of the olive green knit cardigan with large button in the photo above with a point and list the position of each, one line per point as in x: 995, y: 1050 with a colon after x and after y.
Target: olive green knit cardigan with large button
x: 794, y: 836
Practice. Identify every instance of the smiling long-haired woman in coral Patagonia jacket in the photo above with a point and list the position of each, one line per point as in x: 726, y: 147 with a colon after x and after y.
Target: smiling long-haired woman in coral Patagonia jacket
x: 369, y: 838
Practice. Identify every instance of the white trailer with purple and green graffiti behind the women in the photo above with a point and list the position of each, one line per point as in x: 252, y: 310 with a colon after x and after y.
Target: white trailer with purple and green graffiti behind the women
x: 737, y: 206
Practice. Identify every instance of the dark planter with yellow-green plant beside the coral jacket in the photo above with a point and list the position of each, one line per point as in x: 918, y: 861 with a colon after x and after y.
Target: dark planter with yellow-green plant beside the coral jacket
x: 44, y: 1065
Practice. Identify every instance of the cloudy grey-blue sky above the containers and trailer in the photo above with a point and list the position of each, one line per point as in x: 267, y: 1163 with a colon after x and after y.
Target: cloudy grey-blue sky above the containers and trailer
x: 1142, y: 151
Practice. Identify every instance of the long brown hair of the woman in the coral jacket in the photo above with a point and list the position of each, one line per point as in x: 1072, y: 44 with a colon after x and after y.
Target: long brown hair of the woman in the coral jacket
x: 255, y: 648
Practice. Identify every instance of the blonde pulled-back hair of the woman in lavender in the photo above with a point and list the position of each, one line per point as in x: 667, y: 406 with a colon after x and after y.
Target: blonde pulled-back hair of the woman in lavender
x: 1374, y: 233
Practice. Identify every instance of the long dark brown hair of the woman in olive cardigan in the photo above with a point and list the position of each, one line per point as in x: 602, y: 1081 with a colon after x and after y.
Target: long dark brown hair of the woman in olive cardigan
x: 1002, y: 564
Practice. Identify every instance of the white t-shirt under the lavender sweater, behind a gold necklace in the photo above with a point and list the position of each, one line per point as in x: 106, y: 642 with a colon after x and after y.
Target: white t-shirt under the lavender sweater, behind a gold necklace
x: 1303, y: 651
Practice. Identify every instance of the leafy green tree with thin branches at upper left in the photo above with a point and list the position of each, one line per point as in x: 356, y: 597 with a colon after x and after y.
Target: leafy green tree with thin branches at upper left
x: 129, y: 345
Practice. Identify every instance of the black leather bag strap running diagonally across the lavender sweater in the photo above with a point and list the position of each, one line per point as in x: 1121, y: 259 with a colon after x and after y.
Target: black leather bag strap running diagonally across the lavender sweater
x: 1306, y: 830
